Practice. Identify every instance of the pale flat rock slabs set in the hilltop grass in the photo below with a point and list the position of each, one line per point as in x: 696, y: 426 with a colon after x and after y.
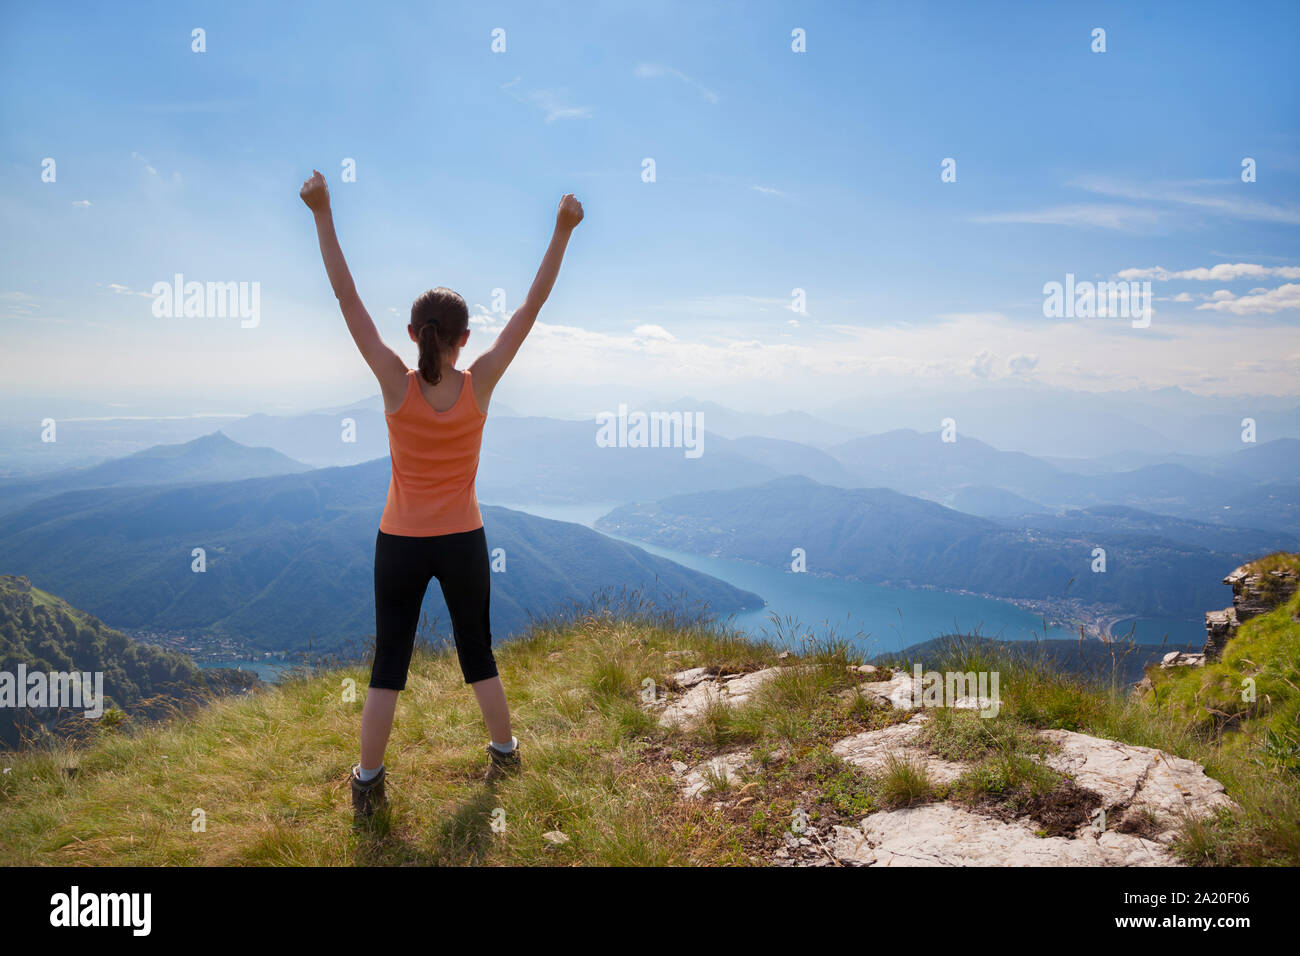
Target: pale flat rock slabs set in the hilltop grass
x: 1117, y: 806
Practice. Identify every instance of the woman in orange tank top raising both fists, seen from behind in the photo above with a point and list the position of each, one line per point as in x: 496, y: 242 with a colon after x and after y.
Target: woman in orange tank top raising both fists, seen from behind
x: 431, y: 525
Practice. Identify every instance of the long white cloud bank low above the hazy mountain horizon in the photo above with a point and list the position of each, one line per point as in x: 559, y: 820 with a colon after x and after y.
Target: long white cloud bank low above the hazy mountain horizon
x: 1247, y: 354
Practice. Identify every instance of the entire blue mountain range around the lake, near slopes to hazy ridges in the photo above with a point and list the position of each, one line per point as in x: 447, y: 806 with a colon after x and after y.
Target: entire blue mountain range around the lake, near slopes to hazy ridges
x: 289, y: 548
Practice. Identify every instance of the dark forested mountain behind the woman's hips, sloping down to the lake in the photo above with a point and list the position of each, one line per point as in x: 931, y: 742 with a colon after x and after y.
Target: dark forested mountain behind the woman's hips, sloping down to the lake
x: 289, y: 560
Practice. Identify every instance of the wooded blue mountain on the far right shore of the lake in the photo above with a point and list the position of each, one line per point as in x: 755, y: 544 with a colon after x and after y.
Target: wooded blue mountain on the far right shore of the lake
x: 882, y: 537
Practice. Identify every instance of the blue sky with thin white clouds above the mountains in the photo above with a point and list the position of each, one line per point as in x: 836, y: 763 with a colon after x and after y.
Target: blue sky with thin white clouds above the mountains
x: 775, y: 171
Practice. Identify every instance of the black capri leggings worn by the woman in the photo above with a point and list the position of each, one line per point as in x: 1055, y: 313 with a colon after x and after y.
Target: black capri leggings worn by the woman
x: 402, y: 570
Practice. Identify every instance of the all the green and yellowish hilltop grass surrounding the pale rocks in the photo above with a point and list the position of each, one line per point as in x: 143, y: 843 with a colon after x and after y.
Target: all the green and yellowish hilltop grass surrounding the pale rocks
x: 270, y: 771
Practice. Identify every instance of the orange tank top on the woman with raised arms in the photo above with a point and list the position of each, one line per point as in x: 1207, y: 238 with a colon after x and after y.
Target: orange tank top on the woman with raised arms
x: 435, y: 462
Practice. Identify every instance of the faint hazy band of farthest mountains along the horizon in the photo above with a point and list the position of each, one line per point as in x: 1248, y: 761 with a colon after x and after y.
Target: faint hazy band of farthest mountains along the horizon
x: 557, y: 461
